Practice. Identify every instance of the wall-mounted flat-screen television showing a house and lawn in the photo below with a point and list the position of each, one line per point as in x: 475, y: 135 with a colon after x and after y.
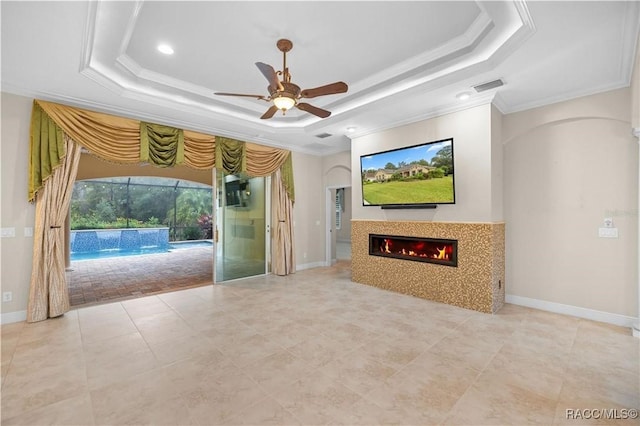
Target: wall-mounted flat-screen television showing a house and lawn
x: 417, y: 176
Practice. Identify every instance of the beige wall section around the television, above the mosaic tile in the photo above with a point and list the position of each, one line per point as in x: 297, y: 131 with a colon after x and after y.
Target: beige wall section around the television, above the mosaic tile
x: 472, y: 147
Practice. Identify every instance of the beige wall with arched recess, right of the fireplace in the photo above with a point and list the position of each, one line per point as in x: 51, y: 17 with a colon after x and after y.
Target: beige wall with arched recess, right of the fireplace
x: 568, y: 166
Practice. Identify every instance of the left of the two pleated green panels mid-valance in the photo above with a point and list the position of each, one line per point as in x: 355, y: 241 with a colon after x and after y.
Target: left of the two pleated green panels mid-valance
x: 162, y: 146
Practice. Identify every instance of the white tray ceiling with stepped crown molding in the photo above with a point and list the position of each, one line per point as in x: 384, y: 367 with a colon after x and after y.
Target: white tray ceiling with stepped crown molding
x: 403, y: 61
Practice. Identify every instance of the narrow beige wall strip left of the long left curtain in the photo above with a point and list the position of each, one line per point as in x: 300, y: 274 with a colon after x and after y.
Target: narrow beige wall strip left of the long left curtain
x: 15, y: 253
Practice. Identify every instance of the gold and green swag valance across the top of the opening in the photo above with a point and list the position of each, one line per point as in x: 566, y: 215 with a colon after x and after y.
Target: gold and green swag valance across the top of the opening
x: 124, y: 140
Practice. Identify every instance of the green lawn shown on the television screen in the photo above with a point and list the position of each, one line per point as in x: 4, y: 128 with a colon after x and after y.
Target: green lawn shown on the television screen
x: 438, y: 190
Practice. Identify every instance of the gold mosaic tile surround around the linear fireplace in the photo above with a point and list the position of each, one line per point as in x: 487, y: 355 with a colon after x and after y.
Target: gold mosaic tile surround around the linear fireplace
x: 477, y: 283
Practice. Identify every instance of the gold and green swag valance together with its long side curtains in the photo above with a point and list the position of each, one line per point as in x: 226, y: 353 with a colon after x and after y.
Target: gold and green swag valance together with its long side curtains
x: 57, y: 134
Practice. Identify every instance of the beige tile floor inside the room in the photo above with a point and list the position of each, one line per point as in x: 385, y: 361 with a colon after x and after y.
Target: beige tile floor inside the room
x: 312, y: 348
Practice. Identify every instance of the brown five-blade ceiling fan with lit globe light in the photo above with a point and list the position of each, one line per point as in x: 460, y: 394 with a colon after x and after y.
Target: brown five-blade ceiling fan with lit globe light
x: 286, y: 95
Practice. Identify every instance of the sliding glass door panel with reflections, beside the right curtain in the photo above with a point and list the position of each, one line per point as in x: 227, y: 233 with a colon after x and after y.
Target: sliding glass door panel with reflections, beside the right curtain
x: 242, y: 225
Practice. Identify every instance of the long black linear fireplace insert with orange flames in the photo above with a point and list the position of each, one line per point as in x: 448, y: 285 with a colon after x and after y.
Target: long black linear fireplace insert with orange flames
x: 431, y: 250
